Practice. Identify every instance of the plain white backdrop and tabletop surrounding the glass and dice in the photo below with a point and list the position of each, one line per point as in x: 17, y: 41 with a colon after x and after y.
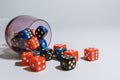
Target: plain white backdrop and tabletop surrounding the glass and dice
x: 79, y: 24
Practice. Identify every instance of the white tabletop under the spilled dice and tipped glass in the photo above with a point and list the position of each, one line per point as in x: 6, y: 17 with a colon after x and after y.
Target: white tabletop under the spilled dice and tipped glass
x: 107, y: 67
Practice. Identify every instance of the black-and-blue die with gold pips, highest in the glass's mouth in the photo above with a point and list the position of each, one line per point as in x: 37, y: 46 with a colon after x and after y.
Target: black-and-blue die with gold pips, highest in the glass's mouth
x: 40, y: 32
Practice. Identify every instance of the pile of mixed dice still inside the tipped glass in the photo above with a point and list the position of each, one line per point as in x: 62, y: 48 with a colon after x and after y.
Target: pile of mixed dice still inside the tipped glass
x: 28, y: 39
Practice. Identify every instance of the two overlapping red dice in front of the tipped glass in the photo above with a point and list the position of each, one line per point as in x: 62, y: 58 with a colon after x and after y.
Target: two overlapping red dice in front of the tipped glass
x: 36, y: 63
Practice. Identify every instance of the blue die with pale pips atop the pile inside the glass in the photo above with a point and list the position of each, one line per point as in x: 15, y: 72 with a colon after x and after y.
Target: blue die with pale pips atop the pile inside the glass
x: 25, y: 34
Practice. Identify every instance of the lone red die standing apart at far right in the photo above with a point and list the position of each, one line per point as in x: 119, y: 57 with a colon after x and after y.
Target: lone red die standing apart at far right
x: 91, y: 54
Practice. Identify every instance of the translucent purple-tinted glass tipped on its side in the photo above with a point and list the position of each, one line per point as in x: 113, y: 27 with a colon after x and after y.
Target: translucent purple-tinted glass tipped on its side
x: 24, y: 21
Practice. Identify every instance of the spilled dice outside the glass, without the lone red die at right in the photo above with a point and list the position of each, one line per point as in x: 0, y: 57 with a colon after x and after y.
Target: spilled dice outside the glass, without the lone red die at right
x: 67, y: 58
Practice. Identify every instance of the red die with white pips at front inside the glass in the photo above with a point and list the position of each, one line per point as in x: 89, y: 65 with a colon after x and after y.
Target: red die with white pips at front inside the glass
x: 33, y: 43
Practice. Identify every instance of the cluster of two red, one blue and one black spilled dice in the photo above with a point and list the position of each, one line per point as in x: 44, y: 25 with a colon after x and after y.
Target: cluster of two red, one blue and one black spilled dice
x: 67, y: 58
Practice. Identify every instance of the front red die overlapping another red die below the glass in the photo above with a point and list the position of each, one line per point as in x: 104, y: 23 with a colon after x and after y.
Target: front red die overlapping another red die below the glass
x: 37, y: 63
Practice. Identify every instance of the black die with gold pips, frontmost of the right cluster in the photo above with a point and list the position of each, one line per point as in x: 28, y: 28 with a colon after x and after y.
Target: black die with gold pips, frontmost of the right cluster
x: 68, y: 62
